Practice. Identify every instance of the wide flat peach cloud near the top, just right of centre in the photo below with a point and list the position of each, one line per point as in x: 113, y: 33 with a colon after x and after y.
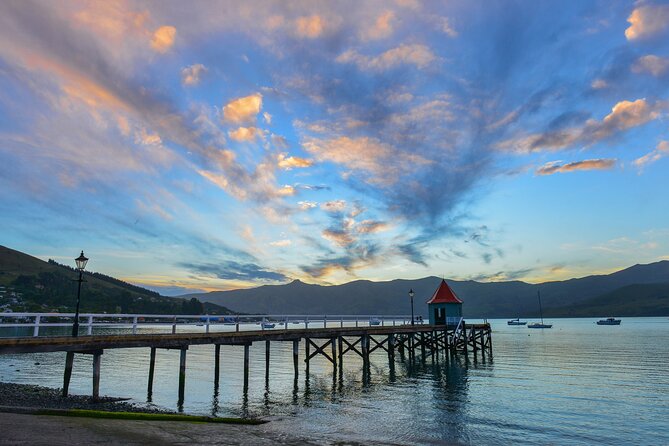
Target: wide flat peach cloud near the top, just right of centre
x: 417, y: 55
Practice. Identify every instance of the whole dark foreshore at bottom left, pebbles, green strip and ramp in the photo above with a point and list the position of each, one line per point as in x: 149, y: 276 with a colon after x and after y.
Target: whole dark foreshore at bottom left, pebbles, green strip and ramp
x: 37, y: 415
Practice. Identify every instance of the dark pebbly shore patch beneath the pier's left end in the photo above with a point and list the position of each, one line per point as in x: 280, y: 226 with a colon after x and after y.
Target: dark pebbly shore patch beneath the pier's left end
x: 30, y: 396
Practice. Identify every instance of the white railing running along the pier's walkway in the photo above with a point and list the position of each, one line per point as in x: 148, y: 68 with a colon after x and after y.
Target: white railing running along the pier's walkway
x: 195, y: 323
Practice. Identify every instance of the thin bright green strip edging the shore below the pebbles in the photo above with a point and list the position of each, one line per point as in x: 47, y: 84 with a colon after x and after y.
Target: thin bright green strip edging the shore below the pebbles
x: 145, y: 416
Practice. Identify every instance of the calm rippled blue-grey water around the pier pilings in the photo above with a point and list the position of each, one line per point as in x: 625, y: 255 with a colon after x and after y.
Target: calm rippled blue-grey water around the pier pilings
x: 577, y: 383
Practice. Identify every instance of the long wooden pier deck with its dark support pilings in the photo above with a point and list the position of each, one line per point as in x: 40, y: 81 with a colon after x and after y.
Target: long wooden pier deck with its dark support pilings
x: 332, y: 343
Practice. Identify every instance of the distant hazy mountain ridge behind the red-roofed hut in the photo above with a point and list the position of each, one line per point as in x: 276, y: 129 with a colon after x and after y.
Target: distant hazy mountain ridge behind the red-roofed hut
x: 482, y: 299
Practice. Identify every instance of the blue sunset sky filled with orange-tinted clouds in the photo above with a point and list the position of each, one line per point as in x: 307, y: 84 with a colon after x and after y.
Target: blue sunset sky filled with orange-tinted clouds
x: 214, y: 145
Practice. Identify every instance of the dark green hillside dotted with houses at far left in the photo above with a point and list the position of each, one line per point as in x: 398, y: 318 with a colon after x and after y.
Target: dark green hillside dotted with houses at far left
x: 30, y: 284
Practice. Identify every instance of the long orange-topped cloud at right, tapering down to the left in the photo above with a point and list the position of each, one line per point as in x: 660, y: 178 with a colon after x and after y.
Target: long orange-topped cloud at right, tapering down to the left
x: 624, y: 116
